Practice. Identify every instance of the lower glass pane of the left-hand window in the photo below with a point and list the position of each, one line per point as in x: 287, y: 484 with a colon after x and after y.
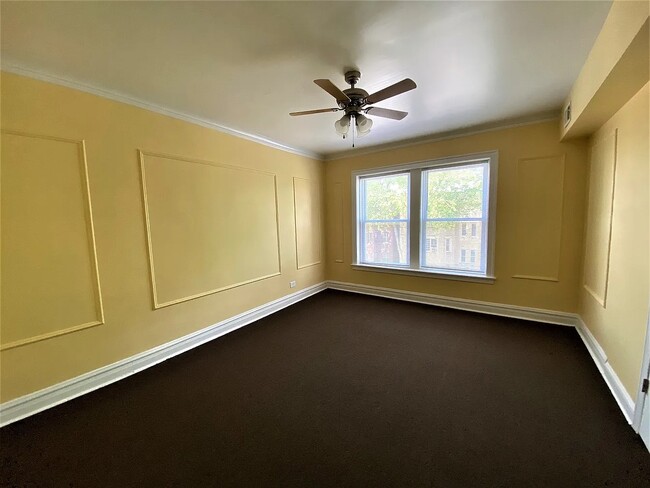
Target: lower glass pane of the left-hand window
x: 385, y: 243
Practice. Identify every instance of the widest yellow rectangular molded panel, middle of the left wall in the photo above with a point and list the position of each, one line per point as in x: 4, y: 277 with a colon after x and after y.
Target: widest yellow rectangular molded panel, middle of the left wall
x: 210, y: 227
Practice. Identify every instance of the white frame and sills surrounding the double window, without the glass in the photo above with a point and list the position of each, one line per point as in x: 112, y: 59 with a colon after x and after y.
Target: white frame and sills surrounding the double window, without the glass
x: 415, y: 236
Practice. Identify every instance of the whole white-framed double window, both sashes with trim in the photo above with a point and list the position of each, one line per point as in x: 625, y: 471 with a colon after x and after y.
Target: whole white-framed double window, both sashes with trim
x: 402, y: 212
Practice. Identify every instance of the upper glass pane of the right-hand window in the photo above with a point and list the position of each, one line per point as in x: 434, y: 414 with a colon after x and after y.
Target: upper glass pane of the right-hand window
x: 455, y: 192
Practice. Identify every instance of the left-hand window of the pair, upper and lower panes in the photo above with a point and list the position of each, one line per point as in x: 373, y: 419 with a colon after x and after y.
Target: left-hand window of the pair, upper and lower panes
x: 384, y: 219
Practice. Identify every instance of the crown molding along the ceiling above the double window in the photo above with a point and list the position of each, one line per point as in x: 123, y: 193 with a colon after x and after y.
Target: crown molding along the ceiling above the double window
x: 455, y: 134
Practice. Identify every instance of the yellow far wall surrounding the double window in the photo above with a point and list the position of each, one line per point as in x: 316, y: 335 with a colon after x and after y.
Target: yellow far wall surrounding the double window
x: 541, y: 186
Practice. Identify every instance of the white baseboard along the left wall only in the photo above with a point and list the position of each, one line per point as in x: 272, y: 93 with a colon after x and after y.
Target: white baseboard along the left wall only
x: 33, y: 403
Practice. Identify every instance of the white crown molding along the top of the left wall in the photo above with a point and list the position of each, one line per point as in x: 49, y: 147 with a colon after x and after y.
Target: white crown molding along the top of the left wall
x: 119, y: 97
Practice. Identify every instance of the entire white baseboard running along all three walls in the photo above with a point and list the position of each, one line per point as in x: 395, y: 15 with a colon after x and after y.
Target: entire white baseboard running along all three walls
x: 33, y: 403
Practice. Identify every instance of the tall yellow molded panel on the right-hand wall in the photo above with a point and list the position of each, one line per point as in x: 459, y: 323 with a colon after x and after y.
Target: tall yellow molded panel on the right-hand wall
x: 599, y: 216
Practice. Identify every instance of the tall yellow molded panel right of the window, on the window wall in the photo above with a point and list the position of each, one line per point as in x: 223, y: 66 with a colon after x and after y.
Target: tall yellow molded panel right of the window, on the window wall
x: 540, y: 197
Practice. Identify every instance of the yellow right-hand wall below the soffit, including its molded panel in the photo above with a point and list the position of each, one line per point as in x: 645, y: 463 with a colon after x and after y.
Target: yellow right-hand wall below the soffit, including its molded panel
x: 619, y: 206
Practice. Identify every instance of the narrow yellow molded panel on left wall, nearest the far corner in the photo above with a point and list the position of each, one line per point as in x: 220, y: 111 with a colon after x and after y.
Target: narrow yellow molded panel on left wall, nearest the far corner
x: 307, y: 208
